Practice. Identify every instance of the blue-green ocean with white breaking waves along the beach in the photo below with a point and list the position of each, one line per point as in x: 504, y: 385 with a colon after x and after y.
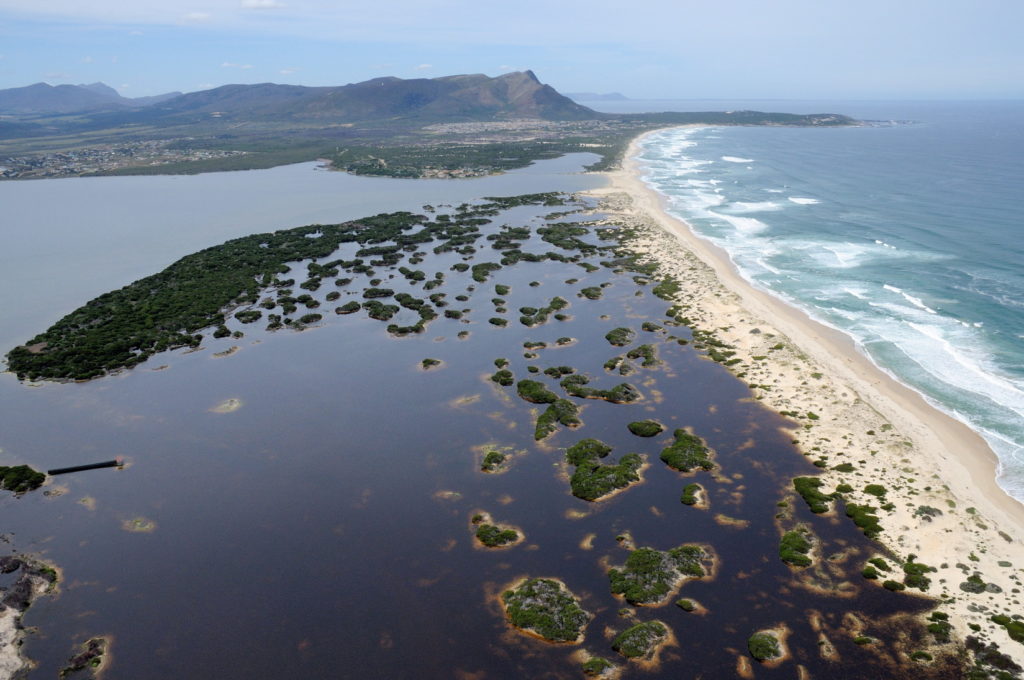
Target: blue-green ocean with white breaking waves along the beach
x: 905, y: 233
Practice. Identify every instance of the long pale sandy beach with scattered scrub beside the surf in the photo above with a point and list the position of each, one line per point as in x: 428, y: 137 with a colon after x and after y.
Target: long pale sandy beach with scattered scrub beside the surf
x: 945, y: 504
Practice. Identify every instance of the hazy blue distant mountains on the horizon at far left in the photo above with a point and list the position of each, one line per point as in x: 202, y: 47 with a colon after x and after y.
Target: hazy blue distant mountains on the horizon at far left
x: 42, y: 99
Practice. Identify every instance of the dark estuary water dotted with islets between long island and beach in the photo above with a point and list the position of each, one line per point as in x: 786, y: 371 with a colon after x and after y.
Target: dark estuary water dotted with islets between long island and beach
x: 322, y: 529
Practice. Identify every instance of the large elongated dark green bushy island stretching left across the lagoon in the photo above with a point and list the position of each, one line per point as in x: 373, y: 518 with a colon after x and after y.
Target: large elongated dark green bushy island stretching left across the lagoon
x: 167, y: 311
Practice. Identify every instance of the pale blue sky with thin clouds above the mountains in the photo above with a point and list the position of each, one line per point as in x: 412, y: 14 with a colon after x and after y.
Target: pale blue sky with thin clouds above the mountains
x: 799, y: 50
